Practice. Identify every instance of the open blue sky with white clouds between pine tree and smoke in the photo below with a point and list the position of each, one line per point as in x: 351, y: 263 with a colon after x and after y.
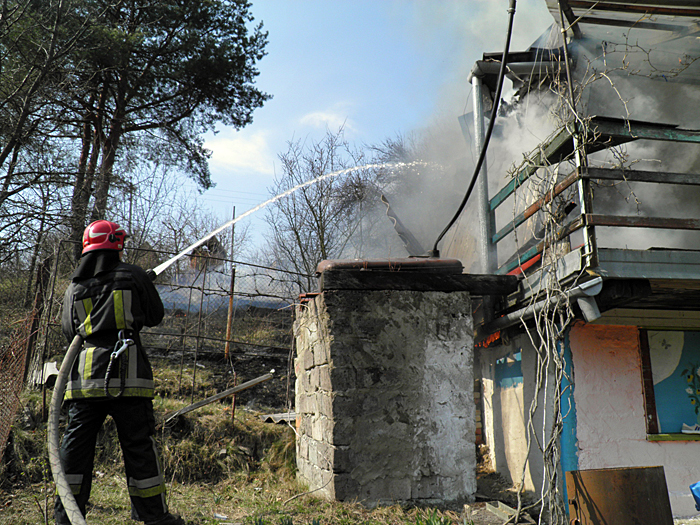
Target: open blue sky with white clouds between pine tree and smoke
x: 380, y: 68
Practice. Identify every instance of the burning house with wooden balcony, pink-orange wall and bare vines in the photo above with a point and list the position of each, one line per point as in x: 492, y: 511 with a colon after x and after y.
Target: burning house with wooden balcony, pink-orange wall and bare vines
x: 593, y: 363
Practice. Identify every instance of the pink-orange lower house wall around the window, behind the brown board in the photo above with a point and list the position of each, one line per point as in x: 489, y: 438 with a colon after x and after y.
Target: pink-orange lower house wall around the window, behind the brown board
x: 611, y: 428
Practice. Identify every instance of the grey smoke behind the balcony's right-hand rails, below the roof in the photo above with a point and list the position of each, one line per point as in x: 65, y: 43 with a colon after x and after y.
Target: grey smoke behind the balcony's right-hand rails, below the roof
x: 642, y: 75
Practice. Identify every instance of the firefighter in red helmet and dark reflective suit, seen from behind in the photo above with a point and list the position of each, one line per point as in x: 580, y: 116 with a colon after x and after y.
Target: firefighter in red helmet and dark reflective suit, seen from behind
x: 107, y: 303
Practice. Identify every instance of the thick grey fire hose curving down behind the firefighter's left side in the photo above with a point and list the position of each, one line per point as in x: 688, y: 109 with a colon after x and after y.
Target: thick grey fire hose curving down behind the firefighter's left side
x: 59, y: 476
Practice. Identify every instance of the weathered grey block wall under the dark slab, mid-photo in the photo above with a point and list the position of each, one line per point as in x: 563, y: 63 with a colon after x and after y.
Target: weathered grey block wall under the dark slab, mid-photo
x: 385, y: 396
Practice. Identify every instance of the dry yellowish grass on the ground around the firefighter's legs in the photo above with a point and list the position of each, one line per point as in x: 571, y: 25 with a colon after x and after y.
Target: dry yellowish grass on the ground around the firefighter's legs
x: 218, y: 471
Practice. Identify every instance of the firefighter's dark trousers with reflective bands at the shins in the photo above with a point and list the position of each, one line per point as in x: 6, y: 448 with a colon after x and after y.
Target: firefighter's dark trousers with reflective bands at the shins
x: 135, y: 427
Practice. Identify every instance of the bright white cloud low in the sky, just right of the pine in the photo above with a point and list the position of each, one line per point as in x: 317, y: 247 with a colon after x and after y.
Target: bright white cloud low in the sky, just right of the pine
x: 242, y: 151
